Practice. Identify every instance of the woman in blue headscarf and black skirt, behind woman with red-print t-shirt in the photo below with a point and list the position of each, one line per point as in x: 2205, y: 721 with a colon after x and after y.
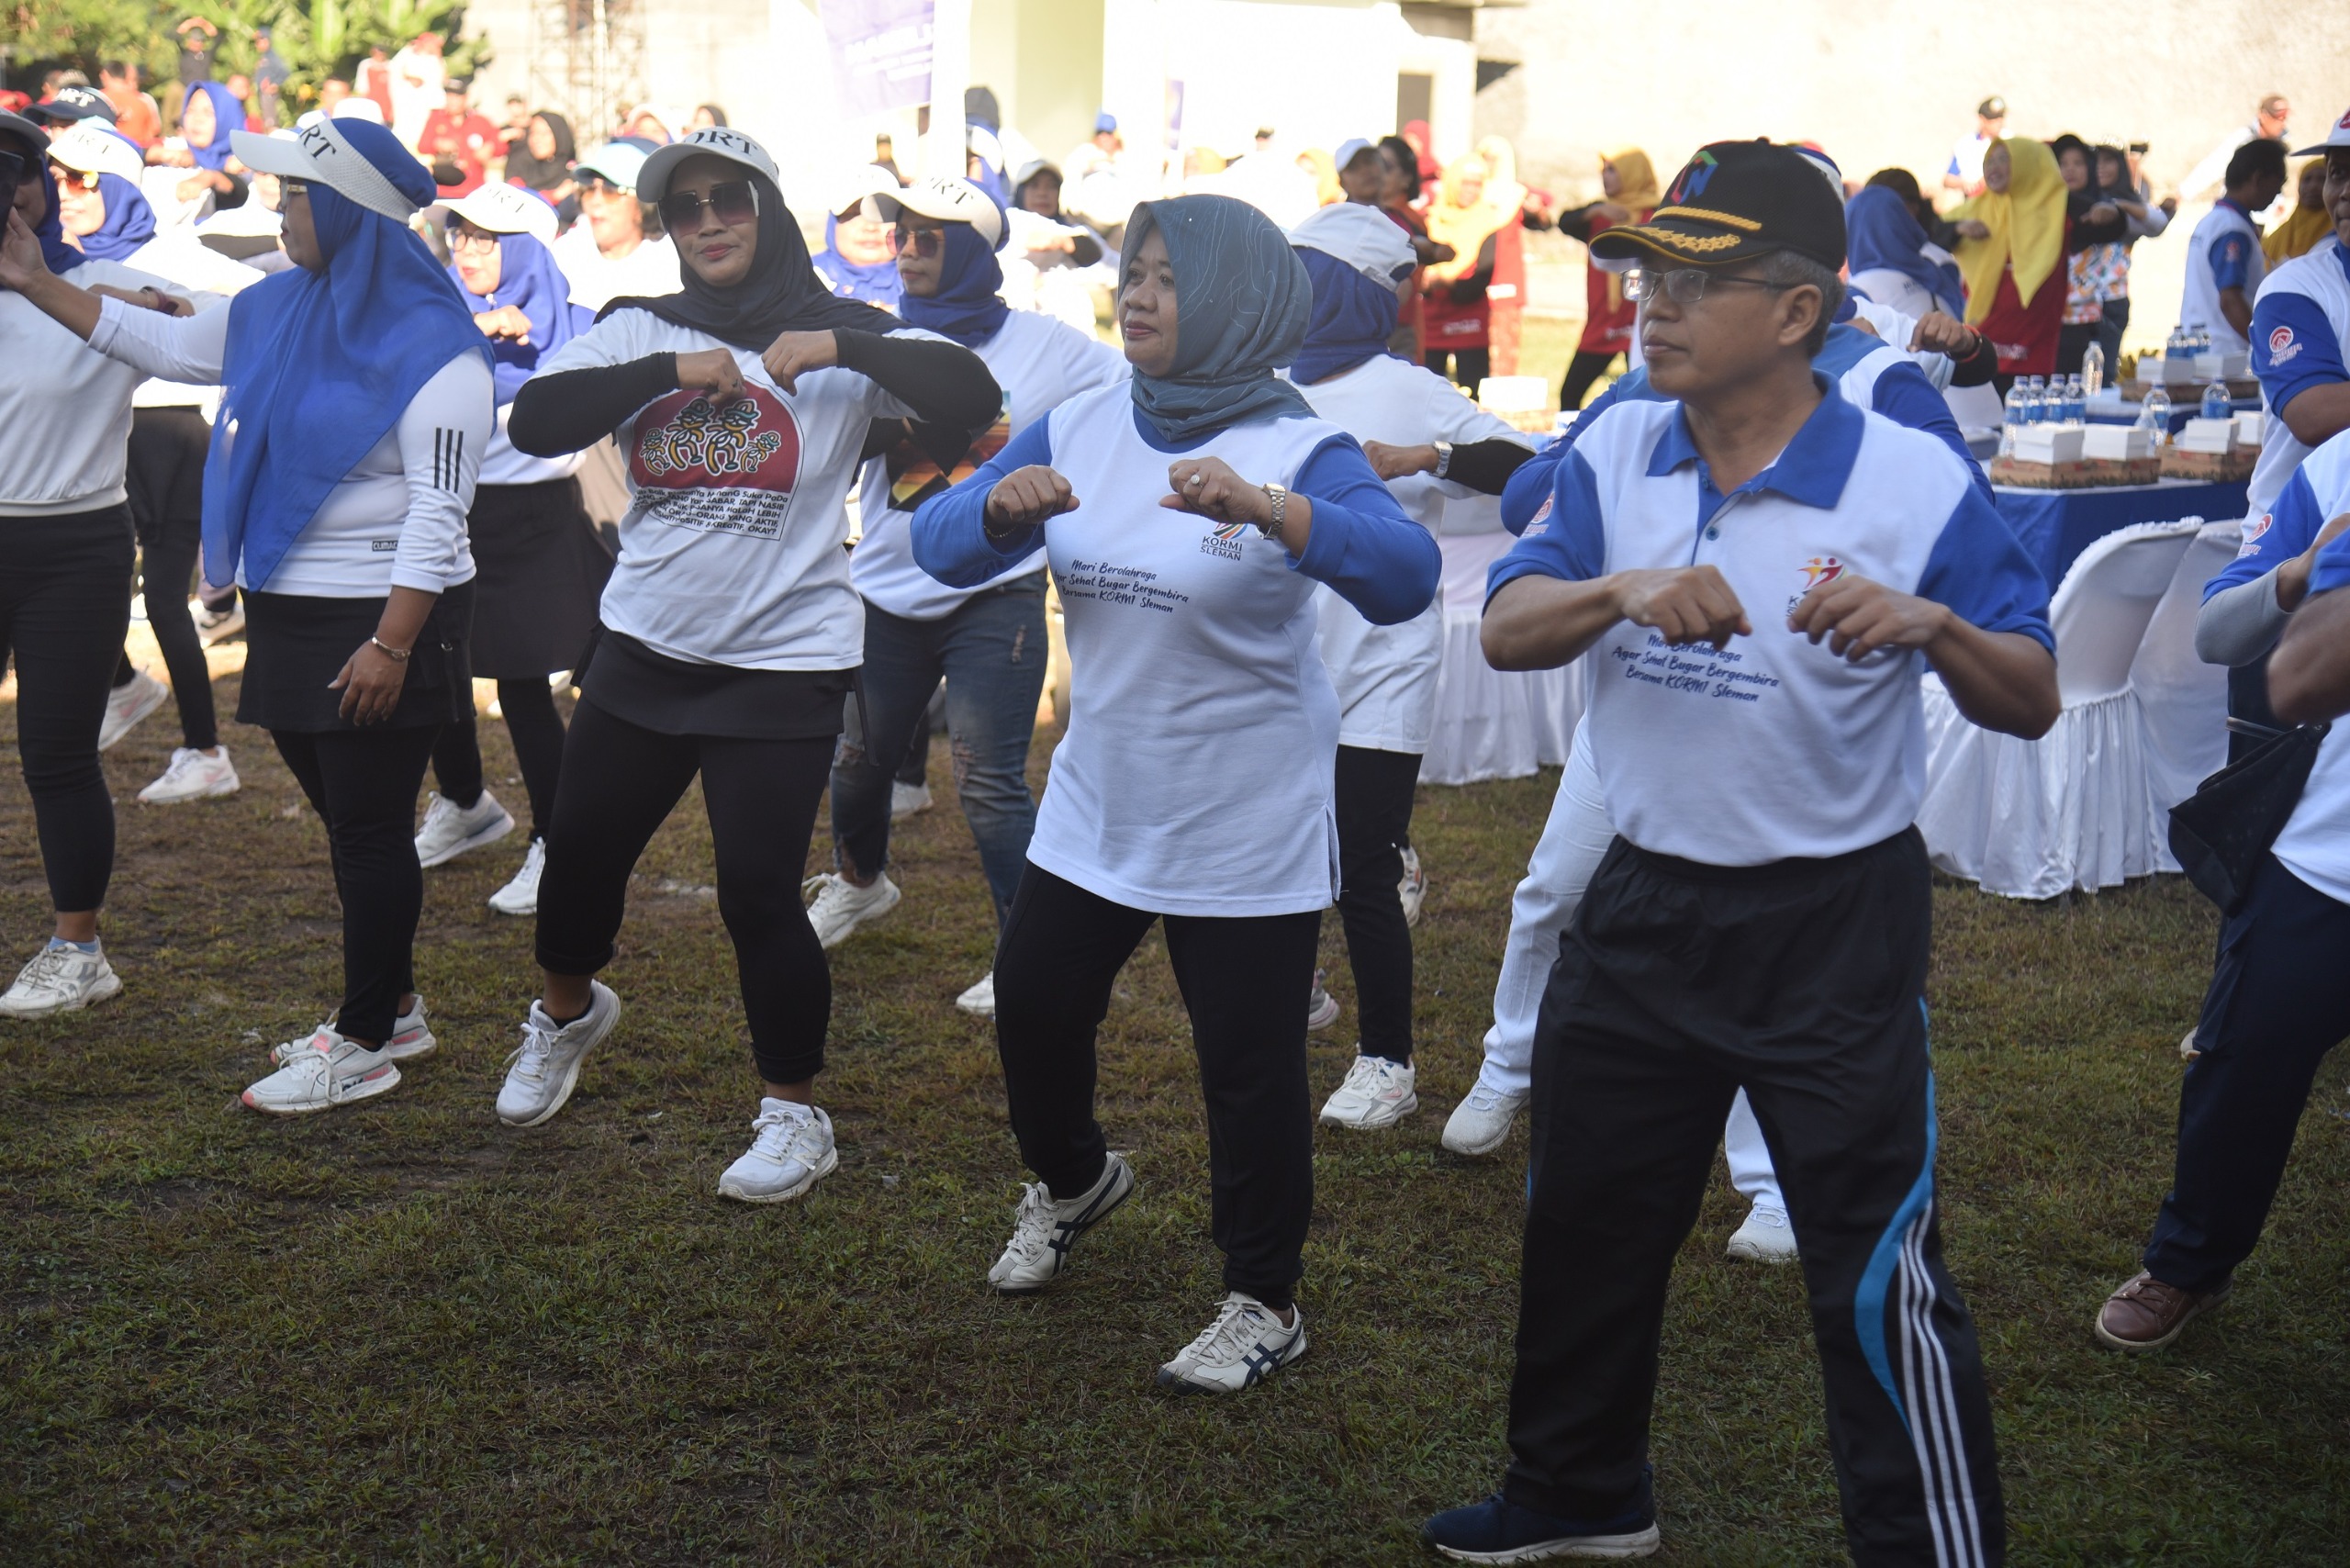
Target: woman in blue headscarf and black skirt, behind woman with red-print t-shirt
x: 539, y: 561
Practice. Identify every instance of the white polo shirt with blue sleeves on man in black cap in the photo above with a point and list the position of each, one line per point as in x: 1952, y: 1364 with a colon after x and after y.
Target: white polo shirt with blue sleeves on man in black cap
x: 1771, y: 746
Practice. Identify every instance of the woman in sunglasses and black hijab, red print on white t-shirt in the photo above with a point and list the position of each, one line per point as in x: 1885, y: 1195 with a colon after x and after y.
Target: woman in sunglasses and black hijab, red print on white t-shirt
x: 732, y: 634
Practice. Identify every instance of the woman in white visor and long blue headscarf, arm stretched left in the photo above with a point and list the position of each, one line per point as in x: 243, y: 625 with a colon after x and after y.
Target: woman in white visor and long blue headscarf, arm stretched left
x: 356, y: 406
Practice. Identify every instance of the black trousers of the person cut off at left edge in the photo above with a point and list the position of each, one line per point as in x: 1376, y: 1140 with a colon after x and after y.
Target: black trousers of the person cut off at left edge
x: 65, y: 605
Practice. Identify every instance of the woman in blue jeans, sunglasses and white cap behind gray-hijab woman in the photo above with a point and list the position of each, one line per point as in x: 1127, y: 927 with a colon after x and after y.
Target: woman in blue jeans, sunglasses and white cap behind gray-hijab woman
x: 986, y: 643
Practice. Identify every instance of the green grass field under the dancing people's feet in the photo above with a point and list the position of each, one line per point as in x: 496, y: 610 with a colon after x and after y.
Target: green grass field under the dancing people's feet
x: 410, y: 1334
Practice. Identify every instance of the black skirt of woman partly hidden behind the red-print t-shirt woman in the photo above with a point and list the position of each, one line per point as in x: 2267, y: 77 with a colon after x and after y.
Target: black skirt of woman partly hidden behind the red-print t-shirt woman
x: 539, y: 575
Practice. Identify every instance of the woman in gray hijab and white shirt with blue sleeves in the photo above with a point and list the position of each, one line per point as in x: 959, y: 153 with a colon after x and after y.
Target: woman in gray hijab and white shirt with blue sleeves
x: 1188, y: 521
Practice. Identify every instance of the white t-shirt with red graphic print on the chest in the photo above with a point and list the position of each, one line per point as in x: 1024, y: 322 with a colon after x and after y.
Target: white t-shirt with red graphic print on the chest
x: 732, y: 544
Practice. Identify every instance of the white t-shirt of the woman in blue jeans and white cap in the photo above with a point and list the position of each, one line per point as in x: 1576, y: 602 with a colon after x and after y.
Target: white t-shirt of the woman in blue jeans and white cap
x: 1040, y: 363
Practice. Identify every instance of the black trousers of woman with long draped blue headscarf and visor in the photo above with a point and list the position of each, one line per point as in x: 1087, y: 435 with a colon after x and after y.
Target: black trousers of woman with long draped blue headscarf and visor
x: 363, y: 784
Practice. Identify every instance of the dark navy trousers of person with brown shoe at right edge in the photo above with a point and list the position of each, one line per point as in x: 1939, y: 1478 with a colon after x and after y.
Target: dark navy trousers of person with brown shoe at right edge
x: 2278, y: 1005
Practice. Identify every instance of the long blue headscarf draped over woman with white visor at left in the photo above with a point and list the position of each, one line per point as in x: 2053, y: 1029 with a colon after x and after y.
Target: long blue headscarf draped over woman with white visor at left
x: 323, y: 366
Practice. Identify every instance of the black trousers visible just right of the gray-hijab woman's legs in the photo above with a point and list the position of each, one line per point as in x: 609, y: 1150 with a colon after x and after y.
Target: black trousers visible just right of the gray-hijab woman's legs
x: 1374, y: 829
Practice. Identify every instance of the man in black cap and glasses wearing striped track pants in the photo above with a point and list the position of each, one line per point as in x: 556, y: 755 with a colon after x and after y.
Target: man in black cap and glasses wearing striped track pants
x: 1761, y: 572
